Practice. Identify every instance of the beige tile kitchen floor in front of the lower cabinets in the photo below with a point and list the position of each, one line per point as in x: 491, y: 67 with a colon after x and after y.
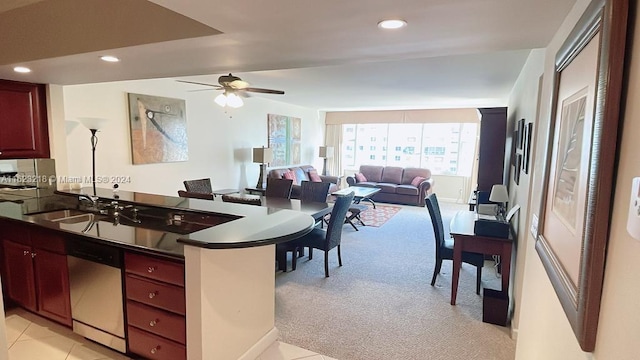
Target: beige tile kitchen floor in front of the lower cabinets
x: 30, y: 337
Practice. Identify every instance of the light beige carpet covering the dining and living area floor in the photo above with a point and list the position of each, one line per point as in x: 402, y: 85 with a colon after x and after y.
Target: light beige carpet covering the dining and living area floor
x: 380, y: 304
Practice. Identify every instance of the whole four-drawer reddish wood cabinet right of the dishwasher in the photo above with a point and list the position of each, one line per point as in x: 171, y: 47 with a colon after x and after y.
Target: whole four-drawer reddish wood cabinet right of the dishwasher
x: 155, y: 307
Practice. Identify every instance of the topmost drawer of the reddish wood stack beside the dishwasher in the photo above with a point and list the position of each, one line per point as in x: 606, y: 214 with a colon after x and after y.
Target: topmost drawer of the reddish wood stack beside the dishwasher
x: 154, y: 268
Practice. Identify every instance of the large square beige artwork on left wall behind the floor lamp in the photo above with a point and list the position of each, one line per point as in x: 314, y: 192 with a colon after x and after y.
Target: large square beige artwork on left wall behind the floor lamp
x: 158, y: 129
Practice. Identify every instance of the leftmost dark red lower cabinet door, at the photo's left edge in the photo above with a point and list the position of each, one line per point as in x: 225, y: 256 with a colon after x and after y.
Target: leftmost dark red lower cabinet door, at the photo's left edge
x: 19, y: 278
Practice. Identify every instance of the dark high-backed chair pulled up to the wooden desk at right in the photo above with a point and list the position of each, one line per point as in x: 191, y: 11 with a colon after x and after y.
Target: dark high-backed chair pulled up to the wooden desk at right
x: 444, y: 246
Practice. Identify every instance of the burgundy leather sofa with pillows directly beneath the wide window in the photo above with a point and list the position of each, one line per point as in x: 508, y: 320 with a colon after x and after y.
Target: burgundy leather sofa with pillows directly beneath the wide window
x: 409, y: 186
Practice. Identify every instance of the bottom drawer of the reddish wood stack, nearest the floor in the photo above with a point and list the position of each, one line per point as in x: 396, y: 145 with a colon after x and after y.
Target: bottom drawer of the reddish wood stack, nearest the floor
x: 154, y: 347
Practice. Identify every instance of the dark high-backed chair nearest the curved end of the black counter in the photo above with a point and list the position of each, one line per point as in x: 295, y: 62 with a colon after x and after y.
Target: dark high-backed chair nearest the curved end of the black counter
x: 320, y: 239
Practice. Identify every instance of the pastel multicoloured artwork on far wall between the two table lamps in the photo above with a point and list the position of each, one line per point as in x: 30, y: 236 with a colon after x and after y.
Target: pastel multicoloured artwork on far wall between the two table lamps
x: 285, y: 138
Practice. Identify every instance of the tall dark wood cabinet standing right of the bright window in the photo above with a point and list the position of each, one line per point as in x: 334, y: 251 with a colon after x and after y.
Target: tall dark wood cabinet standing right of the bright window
x: 491, y: 150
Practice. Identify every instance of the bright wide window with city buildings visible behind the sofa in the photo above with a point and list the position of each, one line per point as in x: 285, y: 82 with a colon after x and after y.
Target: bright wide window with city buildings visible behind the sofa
x: 443, y: 148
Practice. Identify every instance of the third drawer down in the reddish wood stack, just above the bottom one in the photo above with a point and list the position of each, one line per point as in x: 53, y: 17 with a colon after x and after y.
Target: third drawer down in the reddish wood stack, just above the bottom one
x: 157, y: 321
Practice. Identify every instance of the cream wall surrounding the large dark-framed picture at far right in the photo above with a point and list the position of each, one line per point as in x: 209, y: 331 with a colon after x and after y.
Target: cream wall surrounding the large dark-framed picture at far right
x: 544, y: 331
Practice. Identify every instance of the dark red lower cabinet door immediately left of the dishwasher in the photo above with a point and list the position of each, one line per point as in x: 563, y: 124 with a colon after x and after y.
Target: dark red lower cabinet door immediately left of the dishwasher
x: 52, y: 285
